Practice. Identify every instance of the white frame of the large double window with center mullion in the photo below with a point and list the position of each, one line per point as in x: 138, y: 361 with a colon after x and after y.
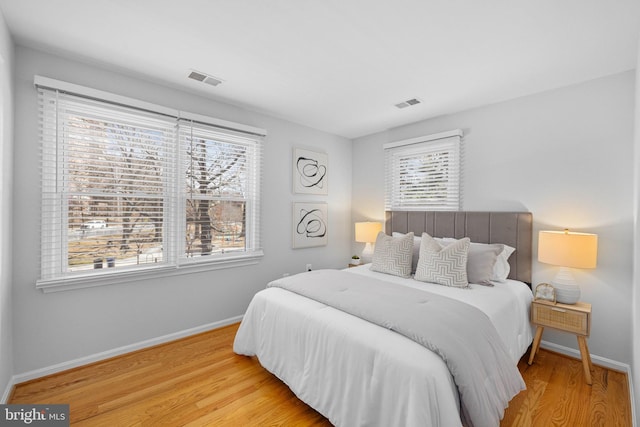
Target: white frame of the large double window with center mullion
x: 175, y: 264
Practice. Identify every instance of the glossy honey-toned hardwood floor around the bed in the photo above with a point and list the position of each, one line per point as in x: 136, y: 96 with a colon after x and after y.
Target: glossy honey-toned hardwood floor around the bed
x: 199, y: 381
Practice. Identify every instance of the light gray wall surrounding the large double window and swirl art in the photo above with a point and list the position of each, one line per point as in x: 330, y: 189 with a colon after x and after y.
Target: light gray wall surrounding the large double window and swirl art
x: 59, y: 327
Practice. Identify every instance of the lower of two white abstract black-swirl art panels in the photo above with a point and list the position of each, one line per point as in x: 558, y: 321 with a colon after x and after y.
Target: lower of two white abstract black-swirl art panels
x: 310, y: 224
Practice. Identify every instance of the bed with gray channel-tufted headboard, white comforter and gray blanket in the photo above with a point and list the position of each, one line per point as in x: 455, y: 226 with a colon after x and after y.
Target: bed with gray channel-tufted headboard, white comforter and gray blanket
x: 359, y: 372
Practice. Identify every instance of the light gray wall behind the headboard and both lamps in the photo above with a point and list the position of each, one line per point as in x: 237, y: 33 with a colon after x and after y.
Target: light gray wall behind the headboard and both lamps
x: 566, y: 156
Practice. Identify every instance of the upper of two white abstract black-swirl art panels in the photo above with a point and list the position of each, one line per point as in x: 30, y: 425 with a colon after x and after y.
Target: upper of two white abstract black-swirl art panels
x: 310, y: 172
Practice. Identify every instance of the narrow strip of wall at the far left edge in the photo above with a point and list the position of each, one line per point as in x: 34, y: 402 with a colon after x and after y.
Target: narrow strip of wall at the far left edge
x: 6, y: 190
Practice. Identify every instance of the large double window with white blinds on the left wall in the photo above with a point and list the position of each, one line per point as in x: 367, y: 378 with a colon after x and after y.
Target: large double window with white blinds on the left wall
x: 127, y: 190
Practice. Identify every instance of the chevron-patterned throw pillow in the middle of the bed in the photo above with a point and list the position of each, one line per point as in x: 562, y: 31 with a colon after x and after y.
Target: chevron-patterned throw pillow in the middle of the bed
x: 443, y: 265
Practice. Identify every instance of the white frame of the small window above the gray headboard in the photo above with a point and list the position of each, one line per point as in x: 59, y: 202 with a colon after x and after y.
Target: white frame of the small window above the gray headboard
x: 449, y: 142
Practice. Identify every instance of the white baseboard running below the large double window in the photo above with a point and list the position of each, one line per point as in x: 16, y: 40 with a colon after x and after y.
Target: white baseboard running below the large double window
x: 27, y: 376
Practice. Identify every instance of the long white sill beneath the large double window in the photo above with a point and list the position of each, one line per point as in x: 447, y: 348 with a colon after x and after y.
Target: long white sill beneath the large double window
x: 114, y: 278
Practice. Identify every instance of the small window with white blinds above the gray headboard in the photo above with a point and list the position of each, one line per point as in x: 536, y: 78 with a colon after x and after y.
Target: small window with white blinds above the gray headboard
x: 424, y: 173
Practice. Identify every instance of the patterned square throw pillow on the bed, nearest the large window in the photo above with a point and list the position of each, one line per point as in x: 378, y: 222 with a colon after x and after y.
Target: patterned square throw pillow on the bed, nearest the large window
x: 392, y: 255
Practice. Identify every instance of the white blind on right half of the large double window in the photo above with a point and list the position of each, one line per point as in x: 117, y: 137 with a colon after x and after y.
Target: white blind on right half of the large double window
x: 221, y: 191
